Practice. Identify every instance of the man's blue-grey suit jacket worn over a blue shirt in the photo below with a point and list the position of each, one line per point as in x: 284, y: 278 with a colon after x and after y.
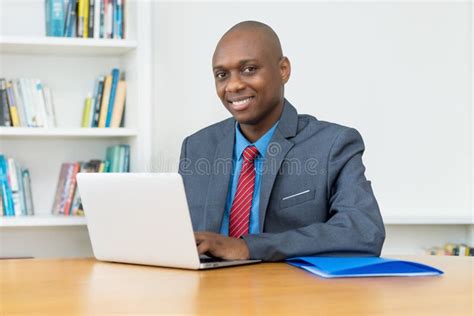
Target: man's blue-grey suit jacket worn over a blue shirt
x: 314, y: 197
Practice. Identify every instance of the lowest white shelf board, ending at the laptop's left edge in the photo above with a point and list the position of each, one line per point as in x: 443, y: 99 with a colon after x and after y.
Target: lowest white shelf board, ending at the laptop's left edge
x: 42, y: 221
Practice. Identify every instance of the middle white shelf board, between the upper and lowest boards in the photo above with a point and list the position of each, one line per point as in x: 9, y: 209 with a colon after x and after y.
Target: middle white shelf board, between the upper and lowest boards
x: 67, y: 132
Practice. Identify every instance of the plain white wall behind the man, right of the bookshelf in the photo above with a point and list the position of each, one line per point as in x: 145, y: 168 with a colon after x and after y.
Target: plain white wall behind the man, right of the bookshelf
x: 398, y: 72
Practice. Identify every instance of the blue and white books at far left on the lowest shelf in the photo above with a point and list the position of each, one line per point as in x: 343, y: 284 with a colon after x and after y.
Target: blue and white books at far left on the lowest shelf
x: 15, y: 184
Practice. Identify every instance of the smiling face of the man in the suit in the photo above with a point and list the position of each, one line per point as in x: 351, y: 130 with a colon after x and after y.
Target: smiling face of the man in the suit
x: 250, y: 72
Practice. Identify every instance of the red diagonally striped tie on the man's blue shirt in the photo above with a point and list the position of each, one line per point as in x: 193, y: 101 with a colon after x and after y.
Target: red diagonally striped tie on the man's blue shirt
x: 240, y: 211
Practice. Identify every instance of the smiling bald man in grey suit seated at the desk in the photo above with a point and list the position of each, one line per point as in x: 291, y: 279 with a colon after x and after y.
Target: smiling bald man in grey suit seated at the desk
x: 268, y: 183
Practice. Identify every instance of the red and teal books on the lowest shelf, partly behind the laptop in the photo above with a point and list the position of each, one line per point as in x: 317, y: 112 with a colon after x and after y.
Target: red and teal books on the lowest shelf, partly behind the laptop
x: 67, y: 200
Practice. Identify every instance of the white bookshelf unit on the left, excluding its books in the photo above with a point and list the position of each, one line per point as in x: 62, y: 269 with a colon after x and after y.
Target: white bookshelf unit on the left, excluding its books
x: 69, y: 67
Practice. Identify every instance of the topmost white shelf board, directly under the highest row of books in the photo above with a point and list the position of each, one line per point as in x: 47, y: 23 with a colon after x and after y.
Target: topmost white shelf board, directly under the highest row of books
x: 65, y: 46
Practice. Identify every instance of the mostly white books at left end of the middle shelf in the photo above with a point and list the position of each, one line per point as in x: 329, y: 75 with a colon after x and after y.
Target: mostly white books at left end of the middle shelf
x: 26, y: 102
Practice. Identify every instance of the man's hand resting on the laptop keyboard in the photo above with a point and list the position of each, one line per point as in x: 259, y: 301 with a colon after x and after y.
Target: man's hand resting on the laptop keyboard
x: 221, y: 246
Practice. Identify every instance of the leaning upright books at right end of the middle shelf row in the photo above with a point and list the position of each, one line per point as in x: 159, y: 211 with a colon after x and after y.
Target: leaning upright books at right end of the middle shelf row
x: 106, y: 106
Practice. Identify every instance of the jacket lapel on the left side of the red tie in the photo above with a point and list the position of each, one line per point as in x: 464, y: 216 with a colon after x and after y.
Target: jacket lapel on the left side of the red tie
x: 220, y: 169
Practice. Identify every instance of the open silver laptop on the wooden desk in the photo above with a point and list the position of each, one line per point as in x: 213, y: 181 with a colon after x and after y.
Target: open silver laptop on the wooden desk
x: 142, y: 218
